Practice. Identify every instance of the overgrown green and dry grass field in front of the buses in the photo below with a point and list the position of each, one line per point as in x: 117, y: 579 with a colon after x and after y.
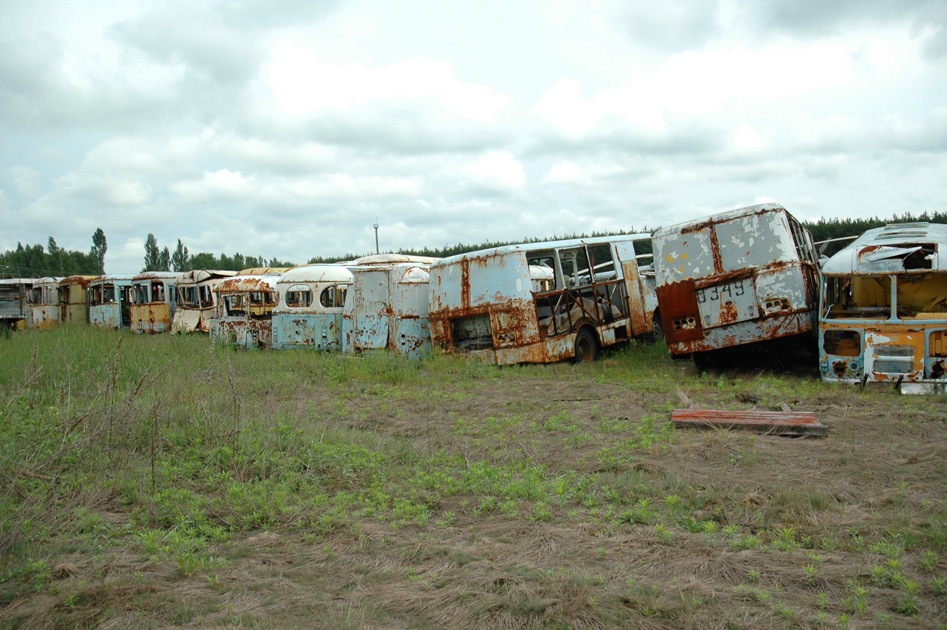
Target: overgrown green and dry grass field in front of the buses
x: 182, y: 454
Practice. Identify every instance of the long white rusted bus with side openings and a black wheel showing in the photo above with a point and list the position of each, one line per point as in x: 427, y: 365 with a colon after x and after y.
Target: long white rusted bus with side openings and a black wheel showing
x: 486, y: 304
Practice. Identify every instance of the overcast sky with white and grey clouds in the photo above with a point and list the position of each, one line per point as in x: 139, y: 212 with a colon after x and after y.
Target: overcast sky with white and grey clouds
x: 283, y: 128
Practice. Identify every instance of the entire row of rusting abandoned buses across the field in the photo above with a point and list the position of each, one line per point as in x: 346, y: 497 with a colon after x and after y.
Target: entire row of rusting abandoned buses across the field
x: 875, y: 312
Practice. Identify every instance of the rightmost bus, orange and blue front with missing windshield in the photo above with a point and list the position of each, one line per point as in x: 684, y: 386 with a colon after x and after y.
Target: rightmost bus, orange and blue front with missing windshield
x: 883, y: 309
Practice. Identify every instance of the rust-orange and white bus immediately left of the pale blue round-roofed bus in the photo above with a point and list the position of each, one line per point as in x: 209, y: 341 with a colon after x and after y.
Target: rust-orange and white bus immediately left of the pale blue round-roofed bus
x: 243, y: 316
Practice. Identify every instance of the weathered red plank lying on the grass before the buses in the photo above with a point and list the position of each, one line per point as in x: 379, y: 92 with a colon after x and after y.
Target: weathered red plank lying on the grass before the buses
x: 784, y: 423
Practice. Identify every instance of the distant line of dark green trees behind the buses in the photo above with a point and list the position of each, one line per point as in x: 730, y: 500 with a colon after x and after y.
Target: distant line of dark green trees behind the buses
x: 33, y: 261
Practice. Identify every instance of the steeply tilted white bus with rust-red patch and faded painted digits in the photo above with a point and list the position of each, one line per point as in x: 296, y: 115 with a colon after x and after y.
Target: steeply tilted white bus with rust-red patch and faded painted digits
x: 737, y: 278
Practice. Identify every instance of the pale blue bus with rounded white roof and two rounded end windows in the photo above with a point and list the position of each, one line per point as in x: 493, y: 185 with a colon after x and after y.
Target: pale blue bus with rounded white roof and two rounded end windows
x: 309, y: 309
